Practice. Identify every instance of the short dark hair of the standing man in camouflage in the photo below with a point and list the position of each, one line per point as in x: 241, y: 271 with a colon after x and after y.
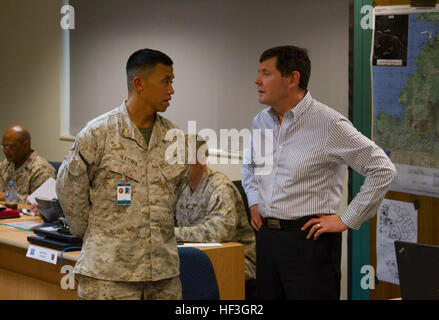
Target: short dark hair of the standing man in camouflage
x: 142, y: 60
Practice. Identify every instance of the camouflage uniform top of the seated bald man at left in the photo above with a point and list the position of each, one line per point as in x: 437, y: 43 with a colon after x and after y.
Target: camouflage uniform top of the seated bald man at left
x: 29, y: 177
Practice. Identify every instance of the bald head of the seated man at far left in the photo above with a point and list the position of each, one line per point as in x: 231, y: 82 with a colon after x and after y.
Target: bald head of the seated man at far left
x: 17, y: 144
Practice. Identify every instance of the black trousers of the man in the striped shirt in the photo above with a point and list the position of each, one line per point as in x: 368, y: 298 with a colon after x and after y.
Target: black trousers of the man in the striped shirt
x: 289, y: 266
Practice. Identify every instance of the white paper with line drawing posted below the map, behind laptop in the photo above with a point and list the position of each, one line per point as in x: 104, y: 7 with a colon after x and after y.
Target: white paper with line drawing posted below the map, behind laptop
x: 396, y: 220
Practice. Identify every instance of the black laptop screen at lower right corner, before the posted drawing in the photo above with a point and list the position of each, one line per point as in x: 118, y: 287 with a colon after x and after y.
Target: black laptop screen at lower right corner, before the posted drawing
x: 418, y: 268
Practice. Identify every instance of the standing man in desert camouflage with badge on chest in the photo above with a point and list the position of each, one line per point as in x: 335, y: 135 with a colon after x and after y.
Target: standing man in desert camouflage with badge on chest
x: 129, y: 251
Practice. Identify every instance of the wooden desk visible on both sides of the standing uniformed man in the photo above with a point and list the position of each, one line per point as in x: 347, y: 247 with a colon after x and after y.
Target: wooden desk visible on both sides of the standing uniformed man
x: 26, y: 278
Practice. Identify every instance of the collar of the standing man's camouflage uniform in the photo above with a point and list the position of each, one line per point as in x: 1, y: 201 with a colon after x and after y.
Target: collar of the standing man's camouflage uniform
x: 129, y: 130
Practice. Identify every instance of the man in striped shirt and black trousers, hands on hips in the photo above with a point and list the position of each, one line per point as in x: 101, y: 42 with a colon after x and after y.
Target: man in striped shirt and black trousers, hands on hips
x: 294, y: 203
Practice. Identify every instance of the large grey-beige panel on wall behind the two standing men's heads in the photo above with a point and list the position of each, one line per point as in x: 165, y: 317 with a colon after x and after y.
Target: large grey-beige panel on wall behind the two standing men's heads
x: 215, y: 46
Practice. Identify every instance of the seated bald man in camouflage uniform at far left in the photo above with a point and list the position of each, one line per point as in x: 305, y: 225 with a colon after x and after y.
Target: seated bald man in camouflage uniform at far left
x: 22, y: 164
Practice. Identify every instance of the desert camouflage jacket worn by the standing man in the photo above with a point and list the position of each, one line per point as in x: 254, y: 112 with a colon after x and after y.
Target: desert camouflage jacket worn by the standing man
x: 122, y: 242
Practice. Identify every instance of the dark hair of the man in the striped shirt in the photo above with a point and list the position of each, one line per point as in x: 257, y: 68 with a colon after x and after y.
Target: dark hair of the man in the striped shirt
x: 289, y: 59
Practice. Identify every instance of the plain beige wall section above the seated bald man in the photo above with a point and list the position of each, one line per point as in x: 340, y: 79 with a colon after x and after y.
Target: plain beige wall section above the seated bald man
x: 29, y: 77
